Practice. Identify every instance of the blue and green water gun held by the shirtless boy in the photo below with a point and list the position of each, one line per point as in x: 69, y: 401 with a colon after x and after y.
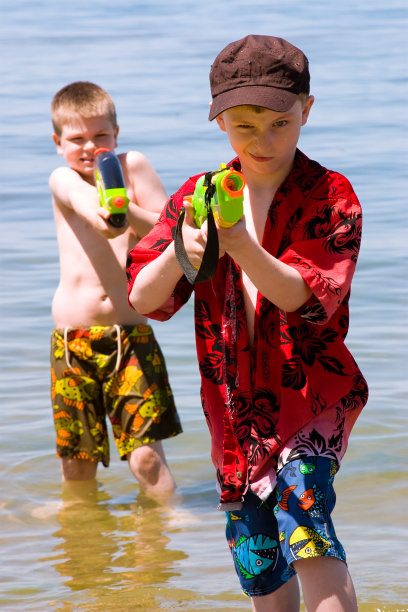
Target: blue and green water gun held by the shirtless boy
x: 111, y: 186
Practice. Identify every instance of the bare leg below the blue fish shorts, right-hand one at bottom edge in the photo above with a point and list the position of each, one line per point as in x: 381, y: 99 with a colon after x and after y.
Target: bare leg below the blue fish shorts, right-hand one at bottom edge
x: 326, y: 585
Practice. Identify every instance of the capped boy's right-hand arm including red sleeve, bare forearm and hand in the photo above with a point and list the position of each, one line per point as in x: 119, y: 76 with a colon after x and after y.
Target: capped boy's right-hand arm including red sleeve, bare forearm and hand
x: 319, y: 259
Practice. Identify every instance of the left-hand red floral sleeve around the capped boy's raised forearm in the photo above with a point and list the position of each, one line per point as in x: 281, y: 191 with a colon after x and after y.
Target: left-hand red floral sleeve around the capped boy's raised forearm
x: 153, y: 245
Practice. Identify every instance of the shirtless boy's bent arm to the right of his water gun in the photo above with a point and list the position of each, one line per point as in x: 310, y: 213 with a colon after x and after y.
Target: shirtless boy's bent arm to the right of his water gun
x: 149, y: 193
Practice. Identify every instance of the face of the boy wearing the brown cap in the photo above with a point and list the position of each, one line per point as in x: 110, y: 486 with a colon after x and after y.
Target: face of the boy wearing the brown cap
x: 265, y: 141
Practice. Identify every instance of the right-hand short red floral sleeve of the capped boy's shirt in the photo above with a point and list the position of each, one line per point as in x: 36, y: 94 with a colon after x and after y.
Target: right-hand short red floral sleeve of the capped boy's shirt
x: 325, y: 245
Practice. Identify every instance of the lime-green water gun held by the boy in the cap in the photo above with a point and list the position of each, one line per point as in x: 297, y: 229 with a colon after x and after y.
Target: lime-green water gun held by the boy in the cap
x: 223, y: 191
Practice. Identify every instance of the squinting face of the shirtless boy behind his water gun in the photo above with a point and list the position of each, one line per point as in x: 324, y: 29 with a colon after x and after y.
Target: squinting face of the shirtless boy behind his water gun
x: 79, y: 139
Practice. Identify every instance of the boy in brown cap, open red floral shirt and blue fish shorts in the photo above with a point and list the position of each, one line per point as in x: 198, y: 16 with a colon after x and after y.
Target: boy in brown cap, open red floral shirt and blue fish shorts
x: 280, y: 390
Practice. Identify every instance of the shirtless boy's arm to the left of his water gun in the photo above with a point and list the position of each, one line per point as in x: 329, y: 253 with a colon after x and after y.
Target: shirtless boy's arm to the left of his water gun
x: 70, y: 190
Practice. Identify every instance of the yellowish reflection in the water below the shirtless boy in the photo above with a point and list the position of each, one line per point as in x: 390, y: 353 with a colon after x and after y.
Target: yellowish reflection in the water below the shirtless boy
x: 112, y: 546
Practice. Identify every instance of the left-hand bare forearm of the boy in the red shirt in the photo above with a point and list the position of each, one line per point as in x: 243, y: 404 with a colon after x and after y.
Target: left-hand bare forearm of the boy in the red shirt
x: 155, y: 283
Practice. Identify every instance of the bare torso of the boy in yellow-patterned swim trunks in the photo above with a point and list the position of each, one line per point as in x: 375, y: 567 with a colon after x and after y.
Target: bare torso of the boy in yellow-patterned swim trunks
x: 92, y: 288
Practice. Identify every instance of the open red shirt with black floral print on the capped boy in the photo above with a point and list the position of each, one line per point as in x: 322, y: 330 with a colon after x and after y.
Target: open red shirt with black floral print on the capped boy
x: 256, y: 399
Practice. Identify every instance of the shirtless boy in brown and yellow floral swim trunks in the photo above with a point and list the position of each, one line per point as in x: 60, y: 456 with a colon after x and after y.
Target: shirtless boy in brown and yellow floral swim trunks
x: 105, y: 360
